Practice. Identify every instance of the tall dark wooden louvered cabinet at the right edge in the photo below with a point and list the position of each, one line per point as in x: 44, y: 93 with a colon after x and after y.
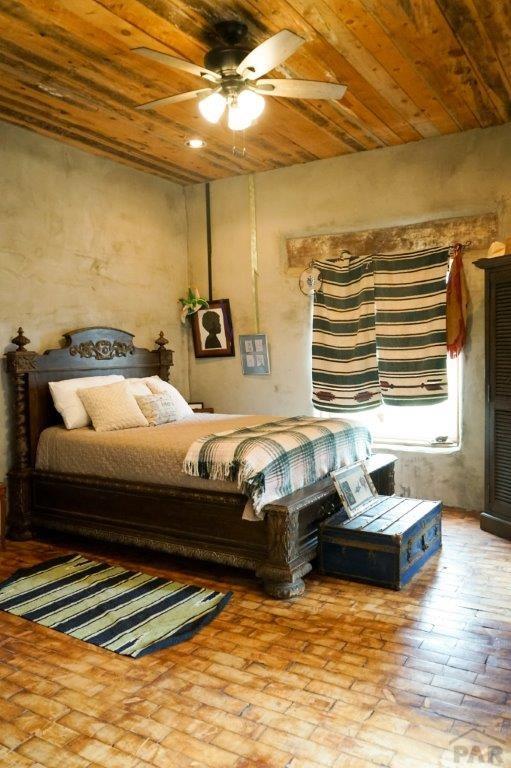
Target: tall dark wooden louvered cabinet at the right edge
x: 496, y: 517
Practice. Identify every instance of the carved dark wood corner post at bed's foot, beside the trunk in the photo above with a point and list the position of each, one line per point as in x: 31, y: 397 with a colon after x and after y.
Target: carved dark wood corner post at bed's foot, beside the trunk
x: 282, y: 572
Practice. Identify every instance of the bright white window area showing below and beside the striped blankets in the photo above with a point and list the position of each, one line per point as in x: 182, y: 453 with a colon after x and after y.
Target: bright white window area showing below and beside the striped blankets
x: 426, y: 425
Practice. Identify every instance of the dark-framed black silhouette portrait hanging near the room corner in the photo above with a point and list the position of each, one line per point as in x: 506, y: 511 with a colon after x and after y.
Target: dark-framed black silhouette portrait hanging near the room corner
x: 212, y: 330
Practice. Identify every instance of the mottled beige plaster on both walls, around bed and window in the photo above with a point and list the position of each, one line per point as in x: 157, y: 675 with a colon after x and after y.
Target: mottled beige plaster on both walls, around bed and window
x: 84, y: 241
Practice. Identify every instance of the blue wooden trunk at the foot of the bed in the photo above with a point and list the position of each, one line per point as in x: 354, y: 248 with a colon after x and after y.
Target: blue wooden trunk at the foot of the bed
x: 386, y: 545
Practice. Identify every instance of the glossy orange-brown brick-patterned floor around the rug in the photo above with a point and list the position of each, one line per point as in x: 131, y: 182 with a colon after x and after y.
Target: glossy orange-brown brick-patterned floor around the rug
x: 346, y: 676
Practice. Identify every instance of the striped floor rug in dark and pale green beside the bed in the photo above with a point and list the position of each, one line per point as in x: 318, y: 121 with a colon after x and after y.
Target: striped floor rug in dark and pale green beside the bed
x: 124, y: 611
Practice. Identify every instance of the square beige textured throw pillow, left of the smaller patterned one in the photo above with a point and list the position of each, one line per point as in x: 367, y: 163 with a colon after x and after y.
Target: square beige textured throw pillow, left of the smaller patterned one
x: 112, y: 407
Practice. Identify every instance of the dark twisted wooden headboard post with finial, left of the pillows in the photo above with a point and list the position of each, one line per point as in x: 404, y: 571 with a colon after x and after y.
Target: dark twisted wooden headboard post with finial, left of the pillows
x: 19, y: 363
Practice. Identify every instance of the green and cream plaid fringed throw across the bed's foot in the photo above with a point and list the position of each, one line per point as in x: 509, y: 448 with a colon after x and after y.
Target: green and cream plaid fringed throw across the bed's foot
x: 270, y: 460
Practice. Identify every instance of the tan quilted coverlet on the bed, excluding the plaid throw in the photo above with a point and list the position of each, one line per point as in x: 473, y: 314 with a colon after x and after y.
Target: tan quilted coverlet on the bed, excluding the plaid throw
x: 142, y: 454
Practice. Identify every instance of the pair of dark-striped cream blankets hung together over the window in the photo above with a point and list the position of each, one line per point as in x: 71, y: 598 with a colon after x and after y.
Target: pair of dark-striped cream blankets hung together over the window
x: 379, y: 332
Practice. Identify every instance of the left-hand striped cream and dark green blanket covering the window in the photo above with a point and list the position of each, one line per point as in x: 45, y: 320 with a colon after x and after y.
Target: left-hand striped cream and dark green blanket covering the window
x: 344, y: 364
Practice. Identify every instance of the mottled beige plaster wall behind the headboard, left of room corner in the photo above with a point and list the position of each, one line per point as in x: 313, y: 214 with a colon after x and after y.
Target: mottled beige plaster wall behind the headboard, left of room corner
x: 85, y: 241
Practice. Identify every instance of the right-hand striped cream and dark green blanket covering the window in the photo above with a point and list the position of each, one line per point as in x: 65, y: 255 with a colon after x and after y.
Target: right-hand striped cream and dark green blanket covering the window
x: 410, y: 291
